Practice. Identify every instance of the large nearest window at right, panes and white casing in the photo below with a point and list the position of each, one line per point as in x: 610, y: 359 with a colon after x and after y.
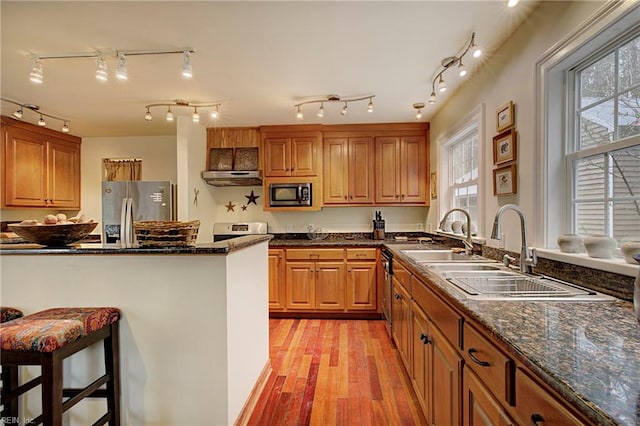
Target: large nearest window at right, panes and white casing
x: 589, y: 151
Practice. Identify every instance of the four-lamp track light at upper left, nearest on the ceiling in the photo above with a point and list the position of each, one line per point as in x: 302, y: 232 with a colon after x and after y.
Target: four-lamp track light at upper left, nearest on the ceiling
x: 37, y: 75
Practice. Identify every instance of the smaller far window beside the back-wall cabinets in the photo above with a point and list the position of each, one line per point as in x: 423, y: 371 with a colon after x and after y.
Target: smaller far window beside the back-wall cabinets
x: 459, y: 165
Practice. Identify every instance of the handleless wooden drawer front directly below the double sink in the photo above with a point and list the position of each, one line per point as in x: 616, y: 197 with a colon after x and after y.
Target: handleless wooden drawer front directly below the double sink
x: 445, y: 318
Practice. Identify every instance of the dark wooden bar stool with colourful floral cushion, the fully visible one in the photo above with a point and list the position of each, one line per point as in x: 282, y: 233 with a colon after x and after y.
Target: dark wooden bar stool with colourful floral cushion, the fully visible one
x: 46, y: 338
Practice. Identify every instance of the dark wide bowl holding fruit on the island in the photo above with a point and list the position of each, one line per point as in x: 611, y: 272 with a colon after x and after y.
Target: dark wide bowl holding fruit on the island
x: 54, y: 235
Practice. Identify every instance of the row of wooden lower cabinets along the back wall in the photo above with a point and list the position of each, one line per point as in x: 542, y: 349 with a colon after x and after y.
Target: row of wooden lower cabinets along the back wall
x: 323, y: 280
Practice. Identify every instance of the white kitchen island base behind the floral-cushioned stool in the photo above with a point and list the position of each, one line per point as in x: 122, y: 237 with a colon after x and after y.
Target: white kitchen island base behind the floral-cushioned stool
x: 194, y: 337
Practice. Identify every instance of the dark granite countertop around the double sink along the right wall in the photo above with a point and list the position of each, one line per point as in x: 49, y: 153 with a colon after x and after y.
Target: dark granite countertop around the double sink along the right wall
x: 587, y: 351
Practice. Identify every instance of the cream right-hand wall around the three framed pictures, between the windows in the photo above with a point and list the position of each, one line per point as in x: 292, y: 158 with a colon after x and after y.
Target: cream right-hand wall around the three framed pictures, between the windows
x: 509, y: 74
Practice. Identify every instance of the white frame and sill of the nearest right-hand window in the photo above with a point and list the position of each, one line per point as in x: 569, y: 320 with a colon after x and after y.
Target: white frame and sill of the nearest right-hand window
x: 611, y: 22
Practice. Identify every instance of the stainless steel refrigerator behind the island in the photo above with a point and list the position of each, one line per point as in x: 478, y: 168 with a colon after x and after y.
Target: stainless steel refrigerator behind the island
x: 124, y: 202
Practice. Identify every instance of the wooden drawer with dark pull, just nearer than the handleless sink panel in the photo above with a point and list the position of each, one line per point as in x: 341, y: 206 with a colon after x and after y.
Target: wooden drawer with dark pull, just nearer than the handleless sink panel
x: 493, y: 367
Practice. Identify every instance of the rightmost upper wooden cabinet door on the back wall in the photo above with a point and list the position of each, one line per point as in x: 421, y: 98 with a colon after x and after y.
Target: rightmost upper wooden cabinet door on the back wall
x: 413, y: 170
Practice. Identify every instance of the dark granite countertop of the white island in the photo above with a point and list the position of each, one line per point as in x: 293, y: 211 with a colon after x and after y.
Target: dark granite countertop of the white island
x: 222, y: 247
